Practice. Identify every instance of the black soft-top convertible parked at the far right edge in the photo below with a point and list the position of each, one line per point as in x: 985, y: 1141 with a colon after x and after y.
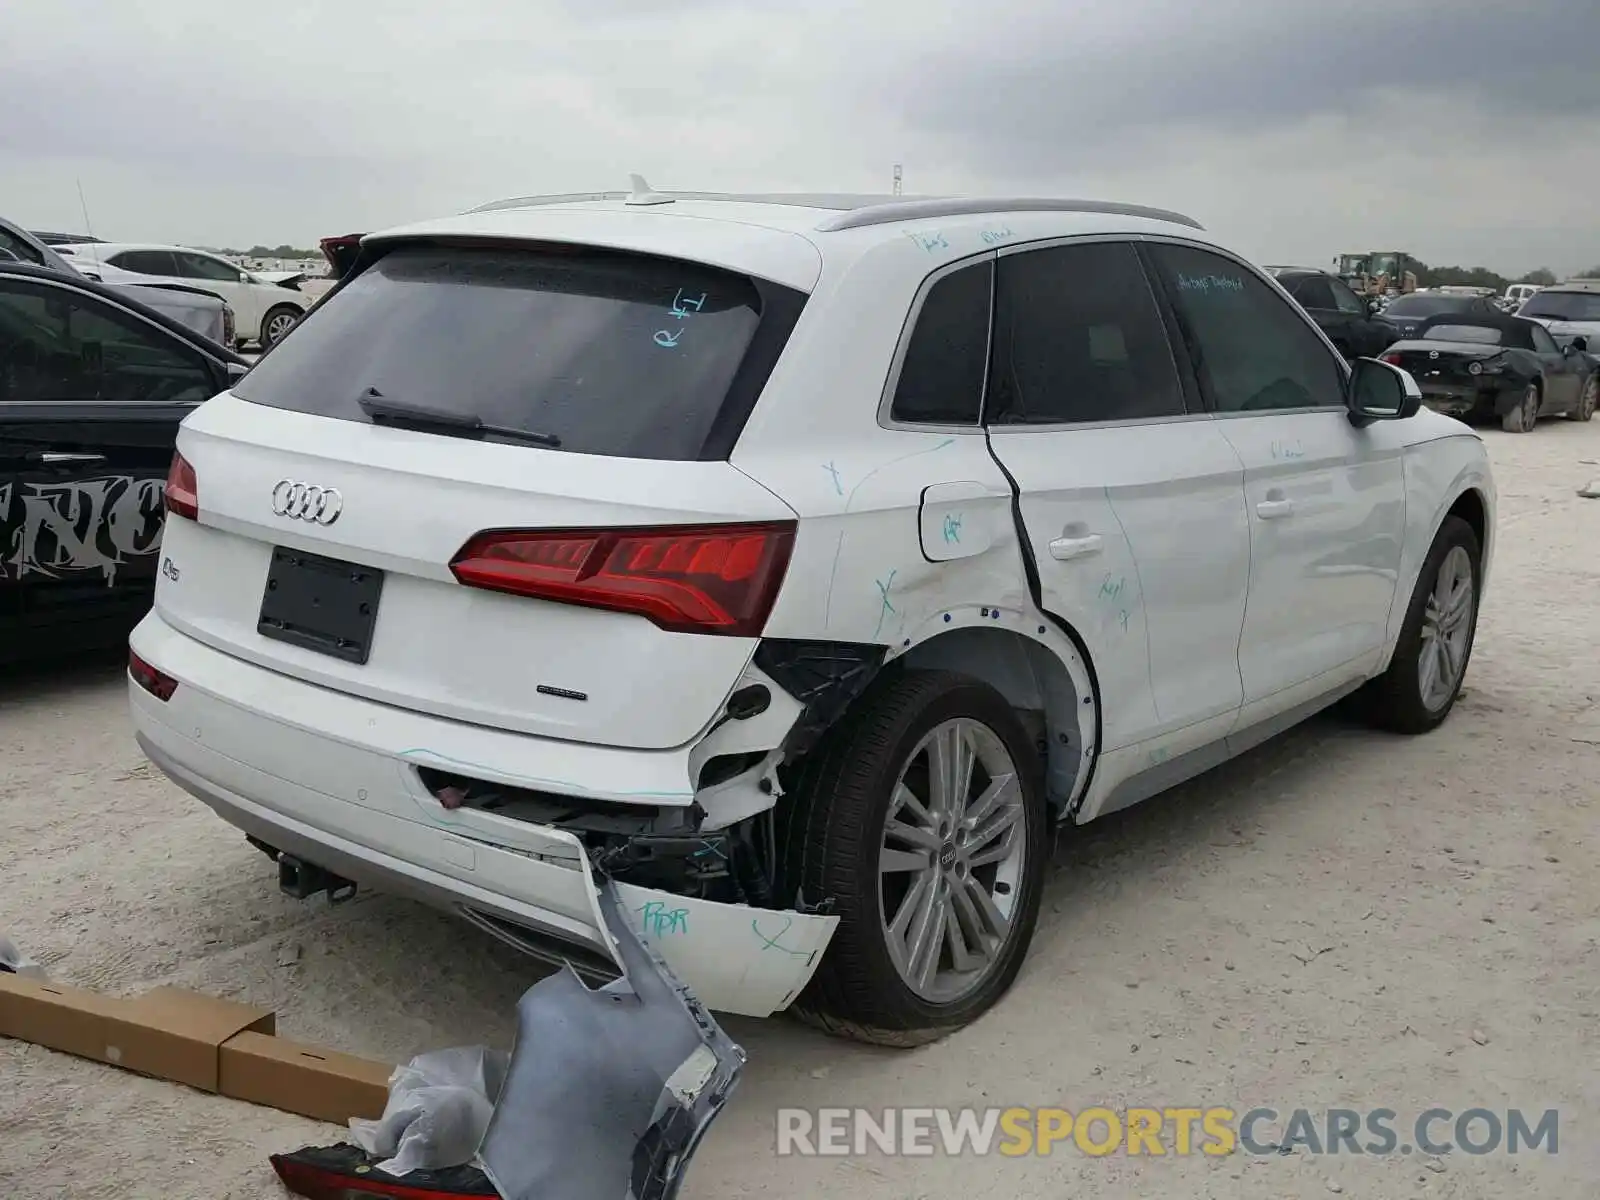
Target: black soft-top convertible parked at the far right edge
x: 1474, y: 367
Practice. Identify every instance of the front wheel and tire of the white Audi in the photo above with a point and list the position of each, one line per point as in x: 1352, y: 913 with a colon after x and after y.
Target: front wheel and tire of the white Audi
x: 1402, y: 700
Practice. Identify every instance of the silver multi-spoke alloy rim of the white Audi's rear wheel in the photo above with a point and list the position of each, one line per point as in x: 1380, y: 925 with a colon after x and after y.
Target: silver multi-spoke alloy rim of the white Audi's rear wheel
x: 951, y: 862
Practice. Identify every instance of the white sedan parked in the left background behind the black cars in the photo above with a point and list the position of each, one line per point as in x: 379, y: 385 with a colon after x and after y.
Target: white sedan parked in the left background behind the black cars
x: 265, y: 310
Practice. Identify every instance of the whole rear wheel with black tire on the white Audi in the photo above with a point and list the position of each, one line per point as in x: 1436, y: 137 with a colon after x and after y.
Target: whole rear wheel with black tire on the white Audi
x: 838, y: 849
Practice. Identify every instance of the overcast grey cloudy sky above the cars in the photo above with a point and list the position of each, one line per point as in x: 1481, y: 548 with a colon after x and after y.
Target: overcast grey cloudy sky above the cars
x: 1458, y: 130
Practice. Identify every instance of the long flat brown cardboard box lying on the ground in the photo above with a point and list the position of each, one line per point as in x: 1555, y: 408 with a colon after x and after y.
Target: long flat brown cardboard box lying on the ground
x: 209, y: 1044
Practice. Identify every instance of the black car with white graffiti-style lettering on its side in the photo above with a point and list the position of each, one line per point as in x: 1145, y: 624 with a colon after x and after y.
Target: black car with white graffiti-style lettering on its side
x: 92, y: 390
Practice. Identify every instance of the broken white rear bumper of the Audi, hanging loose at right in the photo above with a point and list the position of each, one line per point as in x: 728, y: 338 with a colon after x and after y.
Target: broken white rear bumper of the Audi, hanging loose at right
x: 286, y: 762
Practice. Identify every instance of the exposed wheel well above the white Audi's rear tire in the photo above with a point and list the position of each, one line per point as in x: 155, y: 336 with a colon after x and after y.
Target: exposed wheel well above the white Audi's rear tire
x: 1036, y: 684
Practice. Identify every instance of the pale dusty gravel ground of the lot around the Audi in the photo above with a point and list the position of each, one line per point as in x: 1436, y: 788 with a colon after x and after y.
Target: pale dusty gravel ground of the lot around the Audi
x: 1340, y: 919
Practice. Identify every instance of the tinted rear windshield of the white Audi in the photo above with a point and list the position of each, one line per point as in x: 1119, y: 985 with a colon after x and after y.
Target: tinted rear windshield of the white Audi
x: 601, y: 353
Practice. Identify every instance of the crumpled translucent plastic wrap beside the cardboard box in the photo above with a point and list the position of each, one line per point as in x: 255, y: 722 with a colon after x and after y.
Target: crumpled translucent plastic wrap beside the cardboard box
x: 439, y: 1106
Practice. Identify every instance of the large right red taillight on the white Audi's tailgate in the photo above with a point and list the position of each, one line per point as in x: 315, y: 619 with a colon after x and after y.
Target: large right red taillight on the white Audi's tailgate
x: 687, y: 578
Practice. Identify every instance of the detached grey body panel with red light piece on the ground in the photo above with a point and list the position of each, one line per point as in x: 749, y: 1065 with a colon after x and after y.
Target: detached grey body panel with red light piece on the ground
x: 607, y: 1097
